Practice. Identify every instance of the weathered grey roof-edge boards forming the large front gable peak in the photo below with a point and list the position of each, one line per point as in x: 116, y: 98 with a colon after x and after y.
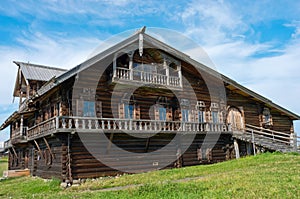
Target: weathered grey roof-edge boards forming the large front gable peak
x: 154, y: 42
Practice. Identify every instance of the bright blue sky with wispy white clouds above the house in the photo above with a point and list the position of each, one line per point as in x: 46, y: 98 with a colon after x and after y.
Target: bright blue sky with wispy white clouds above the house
x: 256, y: 43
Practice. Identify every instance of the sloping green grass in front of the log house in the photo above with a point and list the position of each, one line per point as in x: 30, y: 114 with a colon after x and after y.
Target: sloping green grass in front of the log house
x: 263, y: 176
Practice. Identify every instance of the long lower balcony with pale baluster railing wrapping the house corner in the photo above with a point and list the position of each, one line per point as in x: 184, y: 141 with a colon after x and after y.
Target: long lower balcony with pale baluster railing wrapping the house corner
x: 88, y: 124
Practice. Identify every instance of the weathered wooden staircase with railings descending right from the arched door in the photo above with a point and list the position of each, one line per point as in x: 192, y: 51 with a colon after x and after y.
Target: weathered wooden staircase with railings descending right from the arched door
x: 269, y: 139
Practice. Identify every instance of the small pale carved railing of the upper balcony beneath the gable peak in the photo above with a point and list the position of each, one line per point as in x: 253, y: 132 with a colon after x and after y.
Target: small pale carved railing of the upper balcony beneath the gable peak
x: 147, y: 77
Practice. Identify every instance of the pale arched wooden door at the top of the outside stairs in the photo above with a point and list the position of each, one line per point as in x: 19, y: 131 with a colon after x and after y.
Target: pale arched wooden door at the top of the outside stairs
x: 235, y: 118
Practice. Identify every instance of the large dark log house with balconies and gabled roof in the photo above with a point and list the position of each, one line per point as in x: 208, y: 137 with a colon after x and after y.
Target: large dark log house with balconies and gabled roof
x: 136, y: 106
